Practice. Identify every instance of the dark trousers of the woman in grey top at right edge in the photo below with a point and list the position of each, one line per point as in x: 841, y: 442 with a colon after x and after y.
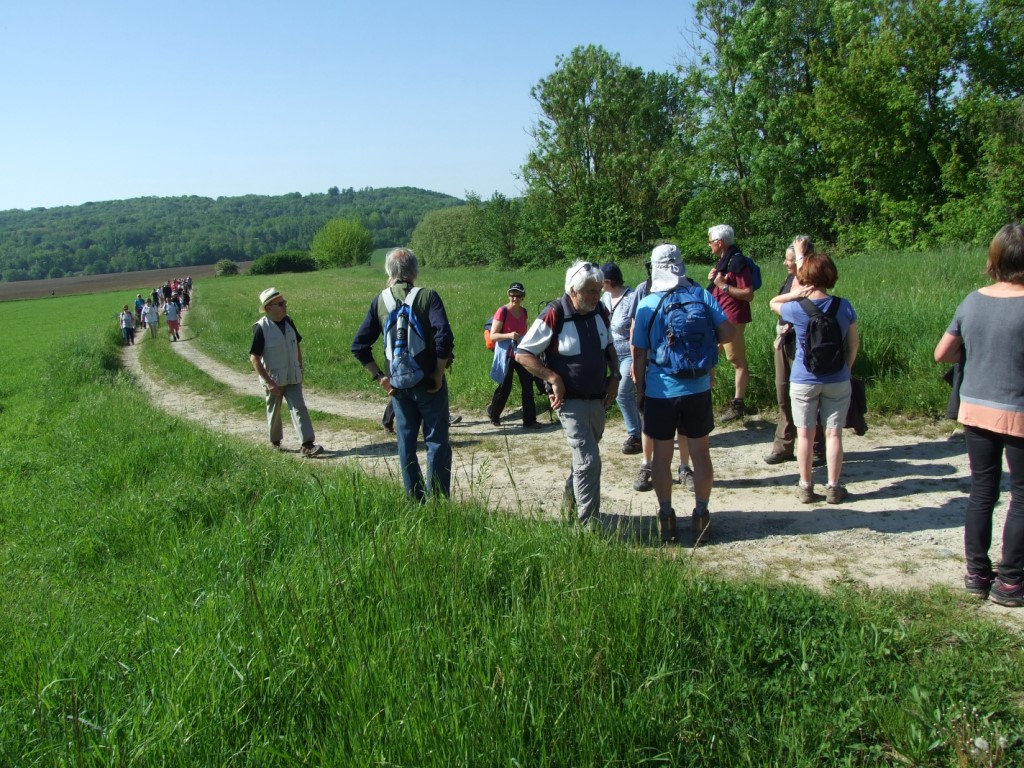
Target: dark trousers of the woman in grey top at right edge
x: 986, y: 451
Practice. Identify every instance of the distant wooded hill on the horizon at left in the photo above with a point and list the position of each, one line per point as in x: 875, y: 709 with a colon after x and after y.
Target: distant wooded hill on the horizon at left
x: 156, y: 233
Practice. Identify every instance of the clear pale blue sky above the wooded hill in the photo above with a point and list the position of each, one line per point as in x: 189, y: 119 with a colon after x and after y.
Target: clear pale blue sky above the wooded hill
x: 112, y: 100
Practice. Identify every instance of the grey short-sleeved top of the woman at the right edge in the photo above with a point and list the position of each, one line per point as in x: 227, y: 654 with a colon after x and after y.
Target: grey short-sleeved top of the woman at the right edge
x: 993, y: 330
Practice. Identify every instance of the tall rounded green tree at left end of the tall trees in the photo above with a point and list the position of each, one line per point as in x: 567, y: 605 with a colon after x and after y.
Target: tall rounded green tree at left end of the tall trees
x: 603, y: 166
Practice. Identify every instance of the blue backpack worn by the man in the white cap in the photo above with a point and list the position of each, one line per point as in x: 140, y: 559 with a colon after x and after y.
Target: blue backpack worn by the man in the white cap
x: 691, y: 348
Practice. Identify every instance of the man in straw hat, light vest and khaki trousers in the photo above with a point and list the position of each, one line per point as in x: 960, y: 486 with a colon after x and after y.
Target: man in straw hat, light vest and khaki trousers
x: 276, y: 354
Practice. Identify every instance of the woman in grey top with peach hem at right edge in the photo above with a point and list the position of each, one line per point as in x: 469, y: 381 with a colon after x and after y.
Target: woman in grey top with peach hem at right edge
x: 989, y: 326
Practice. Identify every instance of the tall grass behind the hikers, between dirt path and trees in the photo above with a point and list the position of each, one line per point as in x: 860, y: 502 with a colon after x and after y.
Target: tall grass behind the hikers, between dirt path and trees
x: 905, y: 302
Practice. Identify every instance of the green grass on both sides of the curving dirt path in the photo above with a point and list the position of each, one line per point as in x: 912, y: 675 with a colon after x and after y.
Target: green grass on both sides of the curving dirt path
x: 172, y: 596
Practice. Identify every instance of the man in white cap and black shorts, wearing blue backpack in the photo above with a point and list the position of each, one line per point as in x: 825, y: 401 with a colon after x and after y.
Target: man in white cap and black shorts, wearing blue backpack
x: 675, y: 343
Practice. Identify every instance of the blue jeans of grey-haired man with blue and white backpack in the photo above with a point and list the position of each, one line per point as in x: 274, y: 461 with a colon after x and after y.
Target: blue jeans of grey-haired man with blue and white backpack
x: 415, y: 408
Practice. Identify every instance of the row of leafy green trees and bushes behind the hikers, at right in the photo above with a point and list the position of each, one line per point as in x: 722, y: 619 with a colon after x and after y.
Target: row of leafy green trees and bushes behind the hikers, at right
x: 881, y: 124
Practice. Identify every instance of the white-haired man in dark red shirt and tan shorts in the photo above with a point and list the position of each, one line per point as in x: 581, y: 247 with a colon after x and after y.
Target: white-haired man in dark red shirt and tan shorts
x: 732, y: 284
